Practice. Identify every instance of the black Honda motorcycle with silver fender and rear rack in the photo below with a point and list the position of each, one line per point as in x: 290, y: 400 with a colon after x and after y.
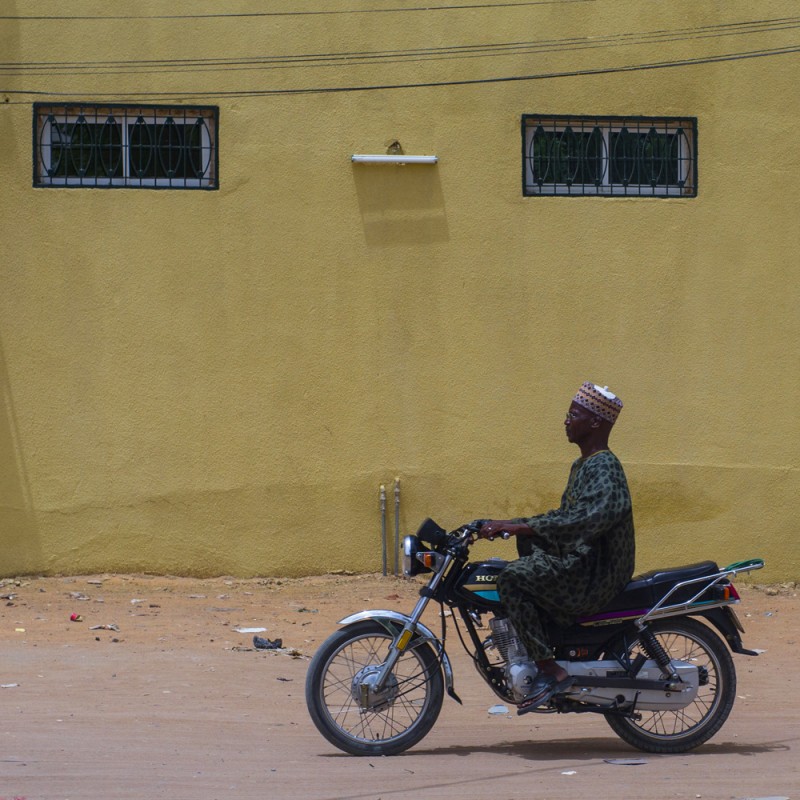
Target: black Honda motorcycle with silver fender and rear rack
x: 655, y: 663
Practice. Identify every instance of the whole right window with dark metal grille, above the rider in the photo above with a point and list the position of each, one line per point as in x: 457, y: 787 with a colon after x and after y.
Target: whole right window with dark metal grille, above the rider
x: 609, y: 156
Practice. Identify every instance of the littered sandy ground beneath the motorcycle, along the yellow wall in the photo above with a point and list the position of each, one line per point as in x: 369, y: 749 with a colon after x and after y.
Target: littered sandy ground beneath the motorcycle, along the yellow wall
x: 170, y: 701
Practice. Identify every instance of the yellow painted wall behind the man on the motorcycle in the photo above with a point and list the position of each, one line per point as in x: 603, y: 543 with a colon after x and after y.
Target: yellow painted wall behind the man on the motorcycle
x: 218, y: 382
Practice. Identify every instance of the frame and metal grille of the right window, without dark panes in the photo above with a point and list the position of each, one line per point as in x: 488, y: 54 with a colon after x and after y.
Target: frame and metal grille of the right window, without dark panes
x: 683, y: 127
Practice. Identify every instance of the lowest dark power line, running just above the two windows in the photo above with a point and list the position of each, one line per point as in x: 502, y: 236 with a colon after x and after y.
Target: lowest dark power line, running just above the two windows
x: 432, y: 84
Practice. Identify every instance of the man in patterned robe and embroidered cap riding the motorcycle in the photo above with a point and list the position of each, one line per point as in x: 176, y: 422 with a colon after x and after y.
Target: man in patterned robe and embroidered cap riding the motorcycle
x: 576, y: 558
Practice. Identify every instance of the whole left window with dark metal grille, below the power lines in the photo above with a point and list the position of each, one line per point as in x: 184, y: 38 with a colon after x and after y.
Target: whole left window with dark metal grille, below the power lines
x: 123, y: 146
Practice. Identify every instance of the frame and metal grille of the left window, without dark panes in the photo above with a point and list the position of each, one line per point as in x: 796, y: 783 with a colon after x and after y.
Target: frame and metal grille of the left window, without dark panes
x: 125, y: 117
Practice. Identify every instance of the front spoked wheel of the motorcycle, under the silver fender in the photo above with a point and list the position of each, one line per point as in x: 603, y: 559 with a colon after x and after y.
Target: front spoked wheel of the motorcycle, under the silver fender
x: 356, y: 716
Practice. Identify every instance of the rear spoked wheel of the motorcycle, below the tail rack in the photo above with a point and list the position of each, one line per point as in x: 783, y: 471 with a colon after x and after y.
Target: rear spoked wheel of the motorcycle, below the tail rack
x: 686, y: 728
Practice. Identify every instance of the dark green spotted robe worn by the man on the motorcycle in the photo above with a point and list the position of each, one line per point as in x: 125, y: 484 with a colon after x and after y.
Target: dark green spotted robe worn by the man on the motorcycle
x: 578, y: 557
